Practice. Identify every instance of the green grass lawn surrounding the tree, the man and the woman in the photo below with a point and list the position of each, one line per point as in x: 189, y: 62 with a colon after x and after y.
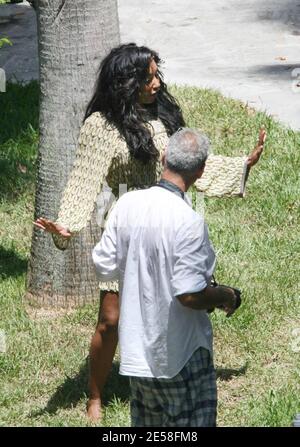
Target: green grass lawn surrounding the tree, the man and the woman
x: 43, y: 372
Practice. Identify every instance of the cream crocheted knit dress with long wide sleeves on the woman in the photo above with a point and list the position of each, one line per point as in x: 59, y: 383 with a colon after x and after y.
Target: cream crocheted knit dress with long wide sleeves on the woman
x: 103, y: 157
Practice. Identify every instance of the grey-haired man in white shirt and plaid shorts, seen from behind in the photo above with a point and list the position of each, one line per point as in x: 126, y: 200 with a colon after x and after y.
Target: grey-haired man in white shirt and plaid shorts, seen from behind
x: 159, y: 249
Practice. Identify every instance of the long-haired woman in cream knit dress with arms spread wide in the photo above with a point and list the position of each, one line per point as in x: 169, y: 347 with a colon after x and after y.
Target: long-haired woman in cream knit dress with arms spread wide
x: 125, y: 130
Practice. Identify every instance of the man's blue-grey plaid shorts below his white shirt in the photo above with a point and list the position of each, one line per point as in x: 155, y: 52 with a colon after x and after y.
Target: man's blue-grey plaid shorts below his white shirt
x: 187, y: 400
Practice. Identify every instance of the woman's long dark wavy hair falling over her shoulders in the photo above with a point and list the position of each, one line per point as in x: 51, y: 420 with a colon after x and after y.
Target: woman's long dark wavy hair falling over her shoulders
x: 122, y: 73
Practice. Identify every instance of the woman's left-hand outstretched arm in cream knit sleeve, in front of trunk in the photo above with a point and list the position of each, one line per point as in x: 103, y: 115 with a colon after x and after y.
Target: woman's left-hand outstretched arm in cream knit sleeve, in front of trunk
x: 93, y: 159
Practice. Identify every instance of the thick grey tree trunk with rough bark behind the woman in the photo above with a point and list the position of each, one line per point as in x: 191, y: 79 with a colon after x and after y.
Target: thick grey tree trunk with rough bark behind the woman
x: 73, y: 38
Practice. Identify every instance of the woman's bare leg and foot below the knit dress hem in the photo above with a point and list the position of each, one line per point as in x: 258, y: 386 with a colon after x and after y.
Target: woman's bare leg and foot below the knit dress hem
x: 103, y: 347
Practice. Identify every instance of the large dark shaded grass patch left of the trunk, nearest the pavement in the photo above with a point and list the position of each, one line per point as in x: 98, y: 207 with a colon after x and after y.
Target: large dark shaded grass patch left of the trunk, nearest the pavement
x: 18, y: 139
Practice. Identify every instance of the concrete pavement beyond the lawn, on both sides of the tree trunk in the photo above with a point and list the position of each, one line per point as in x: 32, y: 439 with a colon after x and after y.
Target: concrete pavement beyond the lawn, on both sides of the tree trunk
x: 247, y: 49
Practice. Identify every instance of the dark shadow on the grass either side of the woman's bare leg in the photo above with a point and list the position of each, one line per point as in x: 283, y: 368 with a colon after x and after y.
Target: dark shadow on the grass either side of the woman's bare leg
x: 75, y: 388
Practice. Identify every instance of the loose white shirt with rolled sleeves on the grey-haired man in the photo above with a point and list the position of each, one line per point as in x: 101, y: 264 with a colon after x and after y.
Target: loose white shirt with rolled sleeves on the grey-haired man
x: 158, y: 248
